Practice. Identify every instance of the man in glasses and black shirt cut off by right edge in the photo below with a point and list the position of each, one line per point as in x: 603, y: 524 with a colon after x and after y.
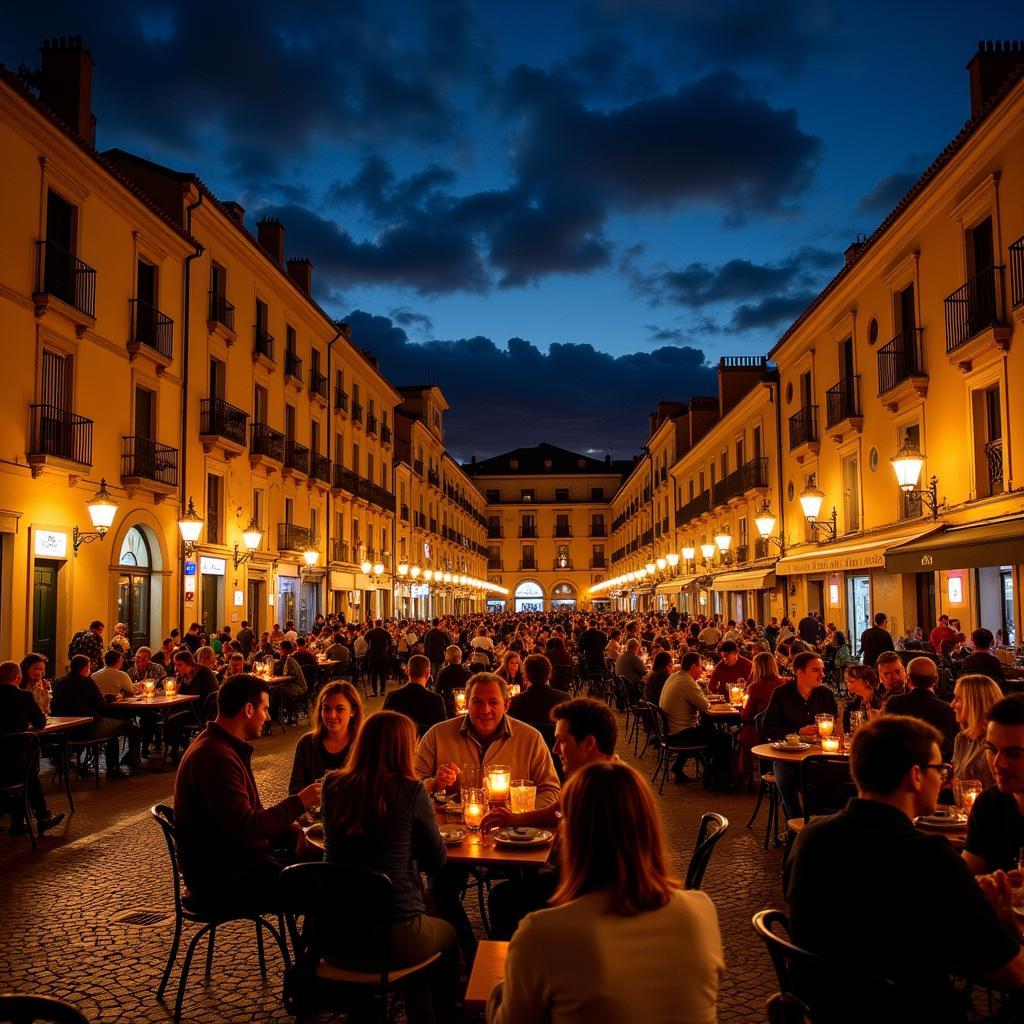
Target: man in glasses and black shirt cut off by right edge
x: 996, y: 829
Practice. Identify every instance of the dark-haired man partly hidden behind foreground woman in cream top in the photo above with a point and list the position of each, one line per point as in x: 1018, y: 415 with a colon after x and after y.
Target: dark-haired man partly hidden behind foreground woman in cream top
x: 585, y: 732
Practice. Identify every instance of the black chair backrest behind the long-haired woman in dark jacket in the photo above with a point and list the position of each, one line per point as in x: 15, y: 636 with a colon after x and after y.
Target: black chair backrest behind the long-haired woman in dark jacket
x: 347, y: 912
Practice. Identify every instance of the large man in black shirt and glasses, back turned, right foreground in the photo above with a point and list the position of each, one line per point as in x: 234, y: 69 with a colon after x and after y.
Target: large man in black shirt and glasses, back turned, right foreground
x: 937, y: 920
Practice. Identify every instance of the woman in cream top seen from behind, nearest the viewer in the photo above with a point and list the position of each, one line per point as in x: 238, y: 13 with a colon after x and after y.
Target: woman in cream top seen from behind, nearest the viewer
x: 618, y: 917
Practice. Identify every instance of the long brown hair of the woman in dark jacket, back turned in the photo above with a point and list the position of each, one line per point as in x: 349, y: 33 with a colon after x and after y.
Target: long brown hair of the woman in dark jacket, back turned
x: 355, y: 799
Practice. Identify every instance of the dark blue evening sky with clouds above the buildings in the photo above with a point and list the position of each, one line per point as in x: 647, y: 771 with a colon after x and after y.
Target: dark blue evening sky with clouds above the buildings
x: 626, y: 189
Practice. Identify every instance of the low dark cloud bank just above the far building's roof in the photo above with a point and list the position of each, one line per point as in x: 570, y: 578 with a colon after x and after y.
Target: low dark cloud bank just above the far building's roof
x: 517, y: 395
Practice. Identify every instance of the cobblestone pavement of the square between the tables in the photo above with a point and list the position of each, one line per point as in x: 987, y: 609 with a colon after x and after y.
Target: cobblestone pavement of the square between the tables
x: 60, y: 934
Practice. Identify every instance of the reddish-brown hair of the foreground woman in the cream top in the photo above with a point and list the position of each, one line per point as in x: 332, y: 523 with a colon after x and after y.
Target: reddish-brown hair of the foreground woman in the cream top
x: 613, y: 841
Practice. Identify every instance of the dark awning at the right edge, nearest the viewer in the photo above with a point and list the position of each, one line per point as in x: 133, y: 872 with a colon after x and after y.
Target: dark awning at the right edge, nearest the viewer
x: 1000, y: 542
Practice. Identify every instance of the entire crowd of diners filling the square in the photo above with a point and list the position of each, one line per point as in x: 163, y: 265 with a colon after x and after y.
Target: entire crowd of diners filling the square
x: 460, y: 695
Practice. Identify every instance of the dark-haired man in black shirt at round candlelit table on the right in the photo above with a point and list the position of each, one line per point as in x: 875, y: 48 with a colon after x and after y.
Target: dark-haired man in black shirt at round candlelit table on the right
x: 793, y: 708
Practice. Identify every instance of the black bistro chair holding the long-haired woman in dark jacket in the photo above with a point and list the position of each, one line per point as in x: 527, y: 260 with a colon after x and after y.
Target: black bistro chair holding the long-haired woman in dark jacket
x: 347, y: 913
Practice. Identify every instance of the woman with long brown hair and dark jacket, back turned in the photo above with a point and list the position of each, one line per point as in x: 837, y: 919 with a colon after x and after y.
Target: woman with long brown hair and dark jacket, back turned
x: 378, y: 817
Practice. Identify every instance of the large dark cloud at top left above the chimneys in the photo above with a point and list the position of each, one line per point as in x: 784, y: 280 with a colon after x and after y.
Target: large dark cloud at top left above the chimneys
x: 270, y: 79
